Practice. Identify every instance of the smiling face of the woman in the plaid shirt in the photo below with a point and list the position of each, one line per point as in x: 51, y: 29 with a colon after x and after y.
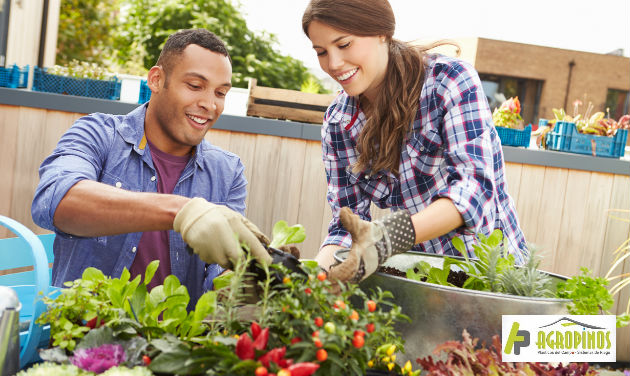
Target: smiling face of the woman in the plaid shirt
x: 357, y: 63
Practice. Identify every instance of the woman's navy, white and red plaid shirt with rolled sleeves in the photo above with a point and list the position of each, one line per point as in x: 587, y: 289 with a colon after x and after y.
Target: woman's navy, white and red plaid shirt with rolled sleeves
x: 452, y: 151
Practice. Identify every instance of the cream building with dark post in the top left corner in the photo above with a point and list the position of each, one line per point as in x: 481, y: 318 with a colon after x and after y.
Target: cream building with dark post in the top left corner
x: 28, y: 32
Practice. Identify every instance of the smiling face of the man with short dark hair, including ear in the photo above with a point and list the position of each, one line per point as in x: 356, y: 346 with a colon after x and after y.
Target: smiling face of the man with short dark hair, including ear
x: 187, y: 100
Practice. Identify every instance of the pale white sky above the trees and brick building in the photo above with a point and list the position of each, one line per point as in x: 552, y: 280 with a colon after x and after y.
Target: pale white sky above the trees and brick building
x: 599, y: 26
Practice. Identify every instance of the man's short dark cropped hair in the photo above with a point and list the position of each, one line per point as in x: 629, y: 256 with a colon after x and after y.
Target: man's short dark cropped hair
x: 178, y: 41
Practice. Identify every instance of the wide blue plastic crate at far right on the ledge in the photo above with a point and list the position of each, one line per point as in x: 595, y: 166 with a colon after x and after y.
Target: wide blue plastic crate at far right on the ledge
x: 565, y: 137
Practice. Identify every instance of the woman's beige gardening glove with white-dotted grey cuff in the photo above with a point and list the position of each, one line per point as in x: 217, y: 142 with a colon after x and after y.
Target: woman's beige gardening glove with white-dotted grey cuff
x: 372, y: 243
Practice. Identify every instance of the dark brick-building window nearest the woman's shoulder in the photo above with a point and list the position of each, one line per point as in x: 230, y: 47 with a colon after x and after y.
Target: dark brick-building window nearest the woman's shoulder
x: 499, y: 88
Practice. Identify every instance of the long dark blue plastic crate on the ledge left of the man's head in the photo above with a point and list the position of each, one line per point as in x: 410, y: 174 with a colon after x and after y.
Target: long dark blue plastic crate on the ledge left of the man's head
x: 83, y: 87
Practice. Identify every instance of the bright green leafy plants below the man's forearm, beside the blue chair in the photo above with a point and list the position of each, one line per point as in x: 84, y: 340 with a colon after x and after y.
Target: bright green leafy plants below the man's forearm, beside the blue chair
x: 125, y: 305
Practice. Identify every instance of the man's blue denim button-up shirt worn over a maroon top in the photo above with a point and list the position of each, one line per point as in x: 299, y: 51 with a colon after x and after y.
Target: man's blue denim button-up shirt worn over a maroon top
x: 112, y: 149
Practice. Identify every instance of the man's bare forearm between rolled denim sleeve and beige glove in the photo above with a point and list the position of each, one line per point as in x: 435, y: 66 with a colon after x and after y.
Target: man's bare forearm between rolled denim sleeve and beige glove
x: 91, y: 208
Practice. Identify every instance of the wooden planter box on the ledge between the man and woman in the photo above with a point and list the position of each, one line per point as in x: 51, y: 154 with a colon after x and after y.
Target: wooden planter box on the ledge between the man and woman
x: 286, y: 104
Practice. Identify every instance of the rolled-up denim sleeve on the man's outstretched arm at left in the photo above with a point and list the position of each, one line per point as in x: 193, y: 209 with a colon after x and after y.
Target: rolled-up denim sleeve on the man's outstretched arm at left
x: 79, y: 155
